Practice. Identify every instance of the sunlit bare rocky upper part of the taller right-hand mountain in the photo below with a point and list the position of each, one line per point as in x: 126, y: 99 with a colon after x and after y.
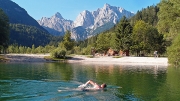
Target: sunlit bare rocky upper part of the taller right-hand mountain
x: 101, y: 16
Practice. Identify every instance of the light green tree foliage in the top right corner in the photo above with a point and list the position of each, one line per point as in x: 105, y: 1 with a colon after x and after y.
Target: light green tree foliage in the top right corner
x: 169, y: 21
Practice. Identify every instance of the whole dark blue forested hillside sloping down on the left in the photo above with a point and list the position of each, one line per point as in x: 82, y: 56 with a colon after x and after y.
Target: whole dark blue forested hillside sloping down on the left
x: 21, y: 25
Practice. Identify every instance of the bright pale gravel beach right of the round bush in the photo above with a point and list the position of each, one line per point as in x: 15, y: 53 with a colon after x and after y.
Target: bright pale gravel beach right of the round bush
x: 122, y: 60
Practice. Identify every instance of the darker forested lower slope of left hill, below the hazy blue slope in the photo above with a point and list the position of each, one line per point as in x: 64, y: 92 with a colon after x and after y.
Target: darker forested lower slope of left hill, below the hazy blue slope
x: 28, y: 35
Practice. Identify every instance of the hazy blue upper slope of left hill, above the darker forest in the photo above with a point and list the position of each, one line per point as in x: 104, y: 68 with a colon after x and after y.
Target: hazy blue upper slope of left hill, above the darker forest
x: 17, y: 14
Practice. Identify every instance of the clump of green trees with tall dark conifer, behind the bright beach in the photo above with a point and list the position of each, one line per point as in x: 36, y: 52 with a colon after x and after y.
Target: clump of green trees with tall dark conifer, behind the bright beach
x: 141, y: 37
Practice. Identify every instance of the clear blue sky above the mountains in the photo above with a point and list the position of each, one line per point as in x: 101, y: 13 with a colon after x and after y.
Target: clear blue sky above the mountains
x: 69, y: 9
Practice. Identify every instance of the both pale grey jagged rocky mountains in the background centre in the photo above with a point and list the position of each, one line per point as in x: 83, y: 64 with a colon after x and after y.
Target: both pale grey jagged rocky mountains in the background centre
x: 86, y: 22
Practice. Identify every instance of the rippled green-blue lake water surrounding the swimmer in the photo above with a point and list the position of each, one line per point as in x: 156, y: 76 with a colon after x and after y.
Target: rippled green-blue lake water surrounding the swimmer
x: 59, y: 82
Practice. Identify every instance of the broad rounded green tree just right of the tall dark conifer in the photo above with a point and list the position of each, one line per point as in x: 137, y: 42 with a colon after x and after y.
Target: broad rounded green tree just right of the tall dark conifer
x: 147, y: 39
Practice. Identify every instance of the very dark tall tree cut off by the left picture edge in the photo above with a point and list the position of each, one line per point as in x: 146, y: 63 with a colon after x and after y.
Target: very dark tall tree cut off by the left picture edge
x: 4, y: 30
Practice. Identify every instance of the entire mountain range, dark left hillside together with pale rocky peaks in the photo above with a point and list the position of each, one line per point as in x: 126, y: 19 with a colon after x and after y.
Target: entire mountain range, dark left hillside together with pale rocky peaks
x: 87, y: 23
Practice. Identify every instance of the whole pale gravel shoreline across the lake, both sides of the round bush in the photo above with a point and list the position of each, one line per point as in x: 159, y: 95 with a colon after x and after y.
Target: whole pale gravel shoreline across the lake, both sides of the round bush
x: 95, y: 60
